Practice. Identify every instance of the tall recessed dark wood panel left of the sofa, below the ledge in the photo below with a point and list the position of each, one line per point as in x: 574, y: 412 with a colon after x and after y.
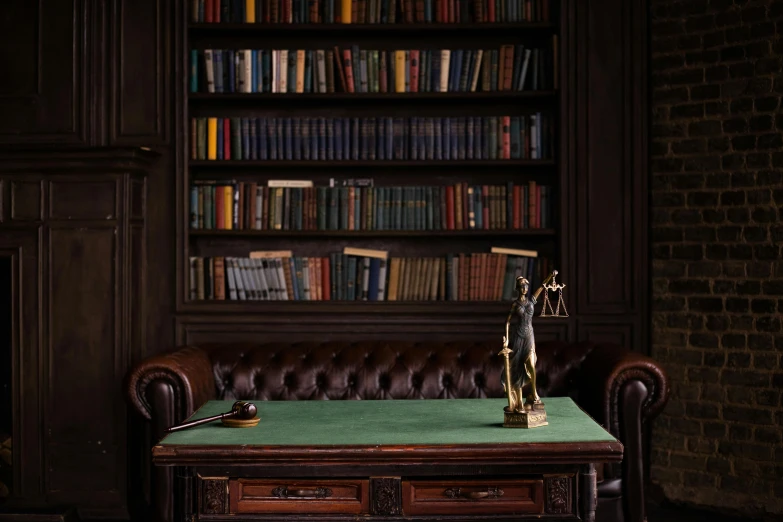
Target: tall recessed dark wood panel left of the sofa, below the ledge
x: 83, y: 318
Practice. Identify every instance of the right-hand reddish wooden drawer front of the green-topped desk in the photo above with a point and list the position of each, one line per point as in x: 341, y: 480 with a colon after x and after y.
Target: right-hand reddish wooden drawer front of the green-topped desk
x: 485, y: 496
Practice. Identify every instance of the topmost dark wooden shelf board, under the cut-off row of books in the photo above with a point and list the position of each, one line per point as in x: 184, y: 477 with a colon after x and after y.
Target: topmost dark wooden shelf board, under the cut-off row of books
x: 227, y: 29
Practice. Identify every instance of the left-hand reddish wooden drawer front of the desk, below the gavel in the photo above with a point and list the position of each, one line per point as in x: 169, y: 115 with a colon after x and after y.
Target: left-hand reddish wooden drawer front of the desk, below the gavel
x: 299, y: 496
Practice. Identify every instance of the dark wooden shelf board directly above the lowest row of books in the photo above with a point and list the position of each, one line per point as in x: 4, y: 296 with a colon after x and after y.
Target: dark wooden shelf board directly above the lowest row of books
x: 530, y: 232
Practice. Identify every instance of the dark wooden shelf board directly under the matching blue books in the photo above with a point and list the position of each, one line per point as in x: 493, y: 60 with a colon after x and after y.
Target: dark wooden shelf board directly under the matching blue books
x: 231, y: 164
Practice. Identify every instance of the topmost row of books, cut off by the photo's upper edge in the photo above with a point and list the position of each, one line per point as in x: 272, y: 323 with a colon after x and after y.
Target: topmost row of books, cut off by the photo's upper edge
x: 368, y: 11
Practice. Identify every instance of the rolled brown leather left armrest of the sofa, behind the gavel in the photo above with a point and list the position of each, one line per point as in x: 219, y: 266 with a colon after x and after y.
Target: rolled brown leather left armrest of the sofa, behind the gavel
x: 186, y: 373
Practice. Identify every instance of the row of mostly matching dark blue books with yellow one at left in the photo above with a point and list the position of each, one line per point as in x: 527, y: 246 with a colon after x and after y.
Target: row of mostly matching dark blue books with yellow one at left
x: 373, y: 138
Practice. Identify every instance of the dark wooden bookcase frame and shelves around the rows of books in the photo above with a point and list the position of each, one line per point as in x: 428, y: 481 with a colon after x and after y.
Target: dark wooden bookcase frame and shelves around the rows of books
x: 399, y: 172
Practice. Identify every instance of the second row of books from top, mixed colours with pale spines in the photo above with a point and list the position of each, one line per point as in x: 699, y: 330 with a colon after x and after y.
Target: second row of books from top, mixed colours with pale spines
x: 355, y: 70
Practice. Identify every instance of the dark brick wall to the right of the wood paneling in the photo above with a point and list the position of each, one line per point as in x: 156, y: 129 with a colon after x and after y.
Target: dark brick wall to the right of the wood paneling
x: 717, y: 229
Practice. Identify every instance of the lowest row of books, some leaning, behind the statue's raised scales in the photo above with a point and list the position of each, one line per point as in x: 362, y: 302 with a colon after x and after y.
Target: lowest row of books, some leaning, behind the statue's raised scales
x: 358, y: 274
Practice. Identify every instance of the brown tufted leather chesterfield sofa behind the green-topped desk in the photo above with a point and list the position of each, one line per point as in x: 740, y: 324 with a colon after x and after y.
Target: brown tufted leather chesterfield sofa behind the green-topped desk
x: 621, y: 390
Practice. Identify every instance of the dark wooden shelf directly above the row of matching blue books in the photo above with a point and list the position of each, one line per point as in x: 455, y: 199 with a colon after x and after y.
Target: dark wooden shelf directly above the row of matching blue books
x: 204, y: 97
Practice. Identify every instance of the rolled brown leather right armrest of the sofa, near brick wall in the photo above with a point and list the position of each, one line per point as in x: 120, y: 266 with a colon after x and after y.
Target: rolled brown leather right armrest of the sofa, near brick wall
x: 606, y: 371
